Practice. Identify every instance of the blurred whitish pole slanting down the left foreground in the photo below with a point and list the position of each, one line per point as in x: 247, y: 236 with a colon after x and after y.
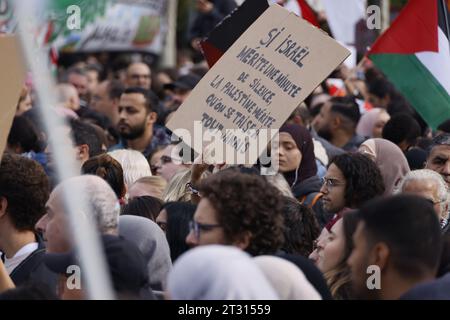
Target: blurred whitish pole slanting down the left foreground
x: 86, y: 240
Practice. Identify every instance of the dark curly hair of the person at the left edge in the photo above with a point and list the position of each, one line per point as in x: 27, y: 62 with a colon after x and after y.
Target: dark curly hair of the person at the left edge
x: 26, y: 188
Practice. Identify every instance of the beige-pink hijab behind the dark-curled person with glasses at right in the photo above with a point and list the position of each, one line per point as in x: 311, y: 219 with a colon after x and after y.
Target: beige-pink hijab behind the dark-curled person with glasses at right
x: 389, y: 159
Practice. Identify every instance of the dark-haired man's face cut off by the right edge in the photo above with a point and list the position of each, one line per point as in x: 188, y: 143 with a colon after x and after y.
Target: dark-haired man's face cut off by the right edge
x: 439, y: 156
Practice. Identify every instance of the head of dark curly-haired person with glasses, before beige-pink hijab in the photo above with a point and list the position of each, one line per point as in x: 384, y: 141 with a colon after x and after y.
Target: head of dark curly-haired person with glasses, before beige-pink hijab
x: 350, y: 181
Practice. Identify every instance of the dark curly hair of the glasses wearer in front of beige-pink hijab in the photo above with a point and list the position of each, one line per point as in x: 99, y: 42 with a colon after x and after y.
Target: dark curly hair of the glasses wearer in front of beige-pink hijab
x: 363, y: 178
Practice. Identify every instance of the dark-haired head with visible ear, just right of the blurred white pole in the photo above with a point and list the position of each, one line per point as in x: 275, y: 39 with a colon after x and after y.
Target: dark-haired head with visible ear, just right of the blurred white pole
x: 85, y: 139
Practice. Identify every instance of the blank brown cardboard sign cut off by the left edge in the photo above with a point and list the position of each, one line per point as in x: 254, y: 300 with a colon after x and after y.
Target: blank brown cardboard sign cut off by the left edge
x: 12, y: 77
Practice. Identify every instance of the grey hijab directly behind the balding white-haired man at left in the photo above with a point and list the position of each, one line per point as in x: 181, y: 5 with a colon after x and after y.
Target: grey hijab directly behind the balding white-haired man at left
x: 152, y: 243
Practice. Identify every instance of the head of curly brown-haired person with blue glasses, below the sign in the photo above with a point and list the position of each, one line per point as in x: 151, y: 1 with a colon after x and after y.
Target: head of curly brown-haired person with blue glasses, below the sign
x: 239, y: 209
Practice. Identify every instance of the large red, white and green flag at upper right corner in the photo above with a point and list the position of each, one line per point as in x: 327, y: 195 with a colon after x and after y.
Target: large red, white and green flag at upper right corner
x: 414, y: 54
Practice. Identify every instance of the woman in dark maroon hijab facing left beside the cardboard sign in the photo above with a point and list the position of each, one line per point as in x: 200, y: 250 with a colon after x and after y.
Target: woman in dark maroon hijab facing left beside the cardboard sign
x: 297, y: 163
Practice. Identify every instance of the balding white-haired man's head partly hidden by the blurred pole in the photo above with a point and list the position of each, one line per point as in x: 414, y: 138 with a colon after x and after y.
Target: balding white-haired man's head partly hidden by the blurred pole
x: 98, y: 196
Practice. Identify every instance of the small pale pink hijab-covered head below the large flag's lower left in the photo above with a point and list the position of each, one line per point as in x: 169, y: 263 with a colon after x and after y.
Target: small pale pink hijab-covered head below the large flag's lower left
x: 372, y: 123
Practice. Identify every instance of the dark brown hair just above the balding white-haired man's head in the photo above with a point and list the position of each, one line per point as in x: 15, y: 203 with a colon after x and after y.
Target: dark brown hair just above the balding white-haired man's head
x: 107, y: 168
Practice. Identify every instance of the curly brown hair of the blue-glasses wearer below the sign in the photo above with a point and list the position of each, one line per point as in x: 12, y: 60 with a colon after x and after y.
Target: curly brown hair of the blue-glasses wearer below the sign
x: 246, y: 203
